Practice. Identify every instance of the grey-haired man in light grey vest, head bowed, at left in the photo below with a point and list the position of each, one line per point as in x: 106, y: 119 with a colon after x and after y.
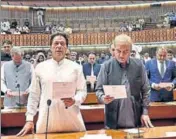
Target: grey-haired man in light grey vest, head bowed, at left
x: 16, y: 75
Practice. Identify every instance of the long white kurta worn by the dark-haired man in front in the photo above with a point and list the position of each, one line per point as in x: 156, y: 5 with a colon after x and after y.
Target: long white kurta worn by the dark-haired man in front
x: 60, y: 119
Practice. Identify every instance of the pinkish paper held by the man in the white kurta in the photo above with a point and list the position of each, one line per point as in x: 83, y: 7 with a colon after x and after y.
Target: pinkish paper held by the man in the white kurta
x: 63, y: 90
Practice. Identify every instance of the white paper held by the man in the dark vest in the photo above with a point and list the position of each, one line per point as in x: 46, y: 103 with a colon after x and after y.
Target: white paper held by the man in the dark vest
x: 116, y: 91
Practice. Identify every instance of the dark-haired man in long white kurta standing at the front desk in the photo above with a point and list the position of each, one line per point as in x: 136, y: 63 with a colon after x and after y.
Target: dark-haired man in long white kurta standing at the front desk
x: 66, y: 111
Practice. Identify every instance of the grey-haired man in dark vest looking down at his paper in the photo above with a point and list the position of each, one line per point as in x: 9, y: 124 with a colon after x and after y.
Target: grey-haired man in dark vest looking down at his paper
x: 123, y: 70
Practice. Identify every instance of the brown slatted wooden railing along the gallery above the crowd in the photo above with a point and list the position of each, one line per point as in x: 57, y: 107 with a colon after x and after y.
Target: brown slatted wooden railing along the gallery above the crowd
x: 154, y: 35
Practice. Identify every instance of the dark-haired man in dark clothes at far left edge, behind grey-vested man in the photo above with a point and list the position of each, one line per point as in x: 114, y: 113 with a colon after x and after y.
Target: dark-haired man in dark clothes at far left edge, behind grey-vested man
x: 5, y: 54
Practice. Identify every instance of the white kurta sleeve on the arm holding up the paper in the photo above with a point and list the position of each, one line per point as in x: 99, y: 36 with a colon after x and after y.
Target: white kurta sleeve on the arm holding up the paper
x: 81, y: 91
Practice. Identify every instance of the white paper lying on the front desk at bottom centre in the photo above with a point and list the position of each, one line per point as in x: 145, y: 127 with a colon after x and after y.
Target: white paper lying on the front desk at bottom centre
x: 96, y: 136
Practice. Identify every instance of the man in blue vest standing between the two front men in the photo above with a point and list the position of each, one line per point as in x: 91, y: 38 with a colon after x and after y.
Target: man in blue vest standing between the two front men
x: 91, y: 69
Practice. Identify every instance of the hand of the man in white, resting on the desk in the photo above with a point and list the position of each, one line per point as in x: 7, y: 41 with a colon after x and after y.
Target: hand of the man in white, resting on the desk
x: 29, y: 126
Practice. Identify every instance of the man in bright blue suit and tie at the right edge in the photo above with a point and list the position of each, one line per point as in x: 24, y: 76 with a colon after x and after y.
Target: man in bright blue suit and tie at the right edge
x: 161, y: 71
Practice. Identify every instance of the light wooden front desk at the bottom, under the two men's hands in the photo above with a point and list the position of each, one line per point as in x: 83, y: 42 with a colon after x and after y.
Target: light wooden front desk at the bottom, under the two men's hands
x: 156, y: 132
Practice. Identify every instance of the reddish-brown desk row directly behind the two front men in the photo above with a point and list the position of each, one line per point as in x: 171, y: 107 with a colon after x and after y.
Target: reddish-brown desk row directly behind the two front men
x: 161, y: 114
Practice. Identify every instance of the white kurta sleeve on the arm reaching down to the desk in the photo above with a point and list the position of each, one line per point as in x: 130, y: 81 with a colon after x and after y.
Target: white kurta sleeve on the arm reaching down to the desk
x: 34, y: 96
